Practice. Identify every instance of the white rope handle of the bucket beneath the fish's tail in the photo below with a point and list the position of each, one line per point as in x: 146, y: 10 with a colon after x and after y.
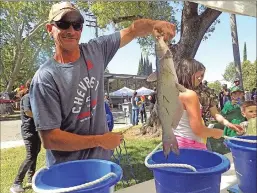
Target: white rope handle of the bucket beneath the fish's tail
x: 152, y: 166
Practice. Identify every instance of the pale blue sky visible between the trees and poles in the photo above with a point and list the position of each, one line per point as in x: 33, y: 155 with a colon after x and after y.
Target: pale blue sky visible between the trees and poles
x: 215, y: 53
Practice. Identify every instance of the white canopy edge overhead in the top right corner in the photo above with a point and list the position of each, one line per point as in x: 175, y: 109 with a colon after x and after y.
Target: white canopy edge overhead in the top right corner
x: 247, y: 8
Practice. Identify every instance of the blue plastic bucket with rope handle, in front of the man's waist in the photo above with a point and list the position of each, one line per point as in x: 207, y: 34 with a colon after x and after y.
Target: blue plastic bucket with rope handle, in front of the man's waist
x: 65, y: 176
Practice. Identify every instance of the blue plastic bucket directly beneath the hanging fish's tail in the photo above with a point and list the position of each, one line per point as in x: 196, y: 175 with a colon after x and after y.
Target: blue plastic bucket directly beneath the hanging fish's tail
x: 206, y: 179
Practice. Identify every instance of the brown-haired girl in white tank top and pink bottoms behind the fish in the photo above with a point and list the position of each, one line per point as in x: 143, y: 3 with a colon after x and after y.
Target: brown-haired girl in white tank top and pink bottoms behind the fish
x: 191, y: 131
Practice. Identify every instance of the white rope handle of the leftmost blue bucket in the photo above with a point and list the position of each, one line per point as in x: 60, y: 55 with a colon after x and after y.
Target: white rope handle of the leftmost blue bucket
x: 70, y: 189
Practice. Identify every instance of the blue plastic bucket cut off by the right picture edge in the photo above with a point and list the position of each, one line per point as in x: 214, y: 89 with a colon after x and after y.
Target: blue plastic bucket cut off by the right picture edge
x: 244, y: 156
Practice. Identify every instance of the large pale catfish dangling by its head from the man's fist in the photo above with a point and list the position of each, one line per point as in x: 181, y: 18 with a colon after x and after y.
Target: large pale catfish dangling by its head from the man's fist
x: 168, y: 106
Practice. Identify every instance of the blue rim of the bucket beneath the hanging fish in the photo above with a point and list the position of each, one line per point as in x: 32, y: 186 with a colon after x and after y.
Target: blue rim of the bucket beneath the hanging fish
x: 221, y: 168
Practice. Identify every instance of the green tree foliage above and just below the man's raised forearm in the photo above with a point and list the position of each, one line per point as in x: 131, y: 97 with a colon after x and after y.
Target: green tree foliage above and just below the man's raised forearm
x: 120, y: 14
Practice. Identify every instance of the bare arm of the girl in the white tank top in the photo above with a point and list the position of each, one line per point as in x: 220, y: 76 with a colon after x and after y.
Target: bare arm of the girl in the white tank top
x: 192, y: 105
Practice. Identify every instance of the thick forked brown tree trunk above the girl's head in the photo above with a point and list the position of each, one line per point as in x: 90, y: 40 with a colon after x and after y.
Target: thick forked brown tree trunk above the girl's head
x: 193, y: 29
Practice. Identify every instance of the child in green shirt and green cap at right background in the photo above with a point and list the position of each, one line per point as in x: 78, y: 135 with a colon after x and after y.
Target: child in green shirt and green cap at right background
x: 232, y: 111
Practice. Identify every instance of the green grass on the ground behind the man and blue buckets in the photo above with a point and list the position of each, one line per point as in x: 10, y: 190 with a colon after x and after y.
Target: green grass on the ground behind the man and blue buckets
x: 137, y: 149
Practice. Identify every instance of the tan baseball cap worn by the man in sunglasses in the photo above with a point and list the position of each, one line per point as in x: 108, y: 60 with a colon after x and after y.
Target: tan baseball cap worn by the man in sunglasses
x: 58, y: 10
